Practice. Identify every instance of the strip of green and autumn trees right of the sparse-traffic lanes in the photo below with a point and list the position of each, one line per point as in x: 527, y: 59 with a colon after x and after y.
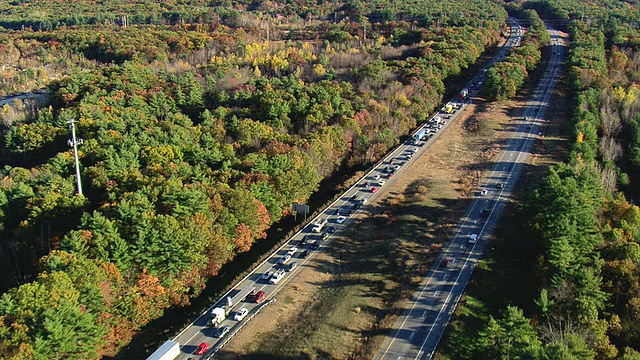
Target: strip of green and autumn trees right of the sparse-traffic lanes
x: 583, y: 217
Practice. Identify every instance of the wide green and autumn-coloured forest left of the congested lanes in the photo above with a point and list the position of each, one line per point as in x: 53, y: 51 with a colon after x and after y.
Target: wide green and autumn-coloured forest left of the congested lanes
x: 201, y: 124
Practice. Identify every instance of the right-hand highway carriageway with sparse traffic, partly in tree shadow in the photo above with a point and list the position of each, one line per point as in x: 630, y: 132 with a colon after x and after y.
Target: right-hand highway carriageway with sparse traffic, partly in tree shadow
x: 418, y: 330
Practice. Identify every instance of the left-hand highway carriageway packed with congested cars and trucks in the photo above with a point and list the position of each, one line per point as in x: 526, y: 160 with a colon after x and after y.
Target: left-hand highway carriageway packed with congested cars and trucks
x: 306, y: 243
